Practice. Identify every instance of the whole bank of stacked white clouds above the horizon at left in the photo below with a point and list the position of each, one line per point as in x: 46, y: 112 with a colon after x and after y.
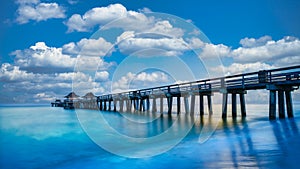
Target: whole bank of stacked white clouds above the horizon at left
x: 40, y: 72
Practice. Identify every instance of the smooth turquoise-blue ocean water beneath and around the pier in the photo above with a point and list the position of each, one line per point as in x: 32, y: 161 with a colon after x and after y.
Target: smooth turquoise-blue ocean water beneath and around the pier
x: 33, y: 137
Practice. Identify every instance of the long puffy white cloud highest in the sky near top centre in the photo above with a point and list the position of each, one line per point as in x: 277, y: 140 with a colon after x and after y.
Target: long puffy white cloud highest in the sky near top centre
x: 117, y: 16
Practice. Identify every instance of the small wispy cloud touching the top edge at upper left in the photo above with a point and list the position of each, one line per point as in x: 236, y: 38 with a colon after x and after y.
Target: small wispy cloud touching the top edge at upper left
x: 37, y: 11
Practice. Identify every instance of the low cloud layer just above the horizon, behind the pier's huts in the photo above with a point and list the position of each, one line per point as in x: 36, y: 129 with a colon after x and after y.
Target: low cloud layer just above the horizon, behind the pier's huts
x: 25, y: 87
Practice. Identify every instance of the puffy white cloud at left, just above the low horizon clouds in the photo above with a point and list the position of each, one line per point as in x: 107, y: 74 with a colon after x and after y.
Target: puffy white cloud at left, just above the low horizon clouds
x: 85, y: 54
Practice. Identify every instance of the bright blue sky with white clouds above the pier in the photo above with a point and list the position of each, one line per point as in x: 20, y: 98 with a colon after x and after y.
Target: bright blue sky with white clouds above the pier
x: 51, y: 47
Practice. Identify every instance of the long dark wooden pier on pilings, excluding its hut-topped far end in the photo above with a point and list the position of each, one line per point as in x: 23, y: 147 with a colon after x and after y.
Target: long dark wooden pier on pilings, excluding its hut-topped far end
x: 279, y: 82
